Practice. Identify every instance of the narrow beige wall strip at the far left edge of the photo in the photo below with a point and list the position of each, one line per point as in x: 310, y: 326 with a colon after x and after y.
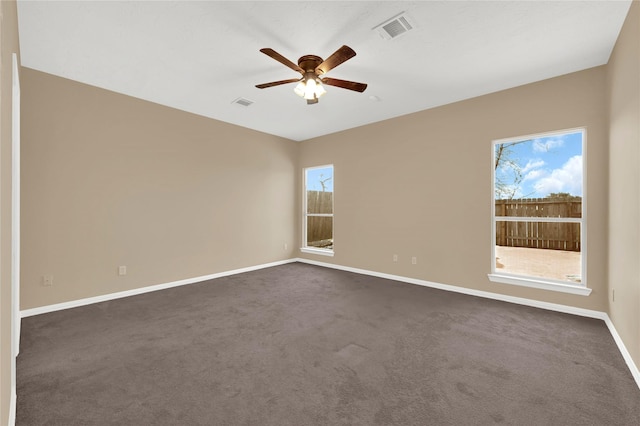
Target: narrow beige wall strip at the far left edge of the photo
x: 9, y: 46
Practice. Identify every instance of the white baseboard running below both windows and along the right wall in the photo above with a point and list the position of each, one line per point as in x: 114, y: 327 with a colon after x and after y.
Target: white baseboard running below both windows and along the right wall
x: 504, y: 298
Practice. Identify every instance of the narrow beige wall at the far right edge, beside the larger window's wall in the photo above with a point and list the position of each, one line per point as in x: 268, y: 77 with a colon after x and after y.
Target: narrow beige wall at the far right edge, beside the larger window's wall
x: 623, y: 83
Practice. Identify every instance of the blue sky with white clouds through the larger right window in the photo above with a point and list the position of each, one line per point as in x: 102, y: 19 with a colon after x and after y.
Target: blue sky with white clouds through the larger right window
x: 547, y: 165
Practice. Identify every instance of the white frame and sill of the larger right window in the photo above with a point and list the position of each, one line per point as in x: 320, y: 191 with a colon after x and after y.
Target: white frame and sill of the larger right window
x: 532, y: 281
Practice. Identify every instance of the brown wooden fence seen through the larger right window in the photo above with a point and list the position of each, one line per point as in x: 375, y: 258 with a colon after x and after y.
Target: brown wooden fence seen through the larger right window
x: 545, y: 235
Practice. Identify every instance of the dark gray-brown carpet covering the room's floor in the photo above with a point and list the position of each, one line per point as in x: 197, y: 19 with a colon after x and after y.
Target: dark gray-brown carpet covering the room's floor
x: 303, y: 345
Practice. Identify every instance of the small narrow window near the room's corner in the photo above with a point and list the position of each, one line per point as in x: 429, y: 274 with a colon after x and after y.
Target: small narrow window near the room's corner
x: 318, y: 210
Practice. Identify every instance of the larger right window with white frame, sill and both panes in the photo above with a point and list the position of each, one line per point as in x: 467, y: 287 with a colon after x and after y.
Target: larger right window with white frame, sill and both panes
x: 538, y: 212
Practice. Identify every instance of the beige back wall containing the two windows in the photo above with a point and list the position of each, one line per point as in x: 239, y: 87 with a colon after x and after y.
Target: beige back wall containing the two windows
x: 420, y: 185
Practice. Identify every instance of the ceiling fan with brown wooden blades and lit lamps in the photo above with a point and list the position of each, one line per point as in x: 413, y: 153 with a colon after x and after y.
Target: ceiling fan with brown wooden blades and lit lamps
x: 312, y: 67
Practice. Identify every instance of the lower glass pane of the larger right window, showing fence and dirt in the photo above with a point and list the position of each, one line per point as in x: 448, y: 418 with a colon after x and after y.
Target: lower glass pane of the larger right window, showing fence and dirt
x: 538, y: 249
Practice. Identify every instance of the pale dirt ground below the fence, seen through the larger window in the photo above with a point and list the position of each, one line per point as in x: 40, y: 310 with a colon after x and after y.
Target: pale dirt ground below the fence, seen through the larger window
x: 545, y: 263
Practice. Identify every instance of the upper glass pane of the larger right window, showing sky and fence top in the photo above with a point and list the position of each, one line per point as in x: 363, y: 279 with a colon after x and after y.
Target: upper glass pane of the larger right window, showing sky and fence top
x: 539, y: 177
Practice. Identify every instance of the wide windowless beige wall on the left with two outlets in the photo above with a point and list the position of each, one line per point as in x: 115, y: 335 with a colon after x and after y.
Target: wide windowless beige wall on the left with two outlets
x: 109, y: 180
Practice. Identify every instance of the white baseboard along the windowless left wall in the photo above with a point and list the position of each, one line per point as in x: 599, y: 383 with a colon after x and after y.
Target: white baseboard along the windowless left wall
x: 112, y: 296
